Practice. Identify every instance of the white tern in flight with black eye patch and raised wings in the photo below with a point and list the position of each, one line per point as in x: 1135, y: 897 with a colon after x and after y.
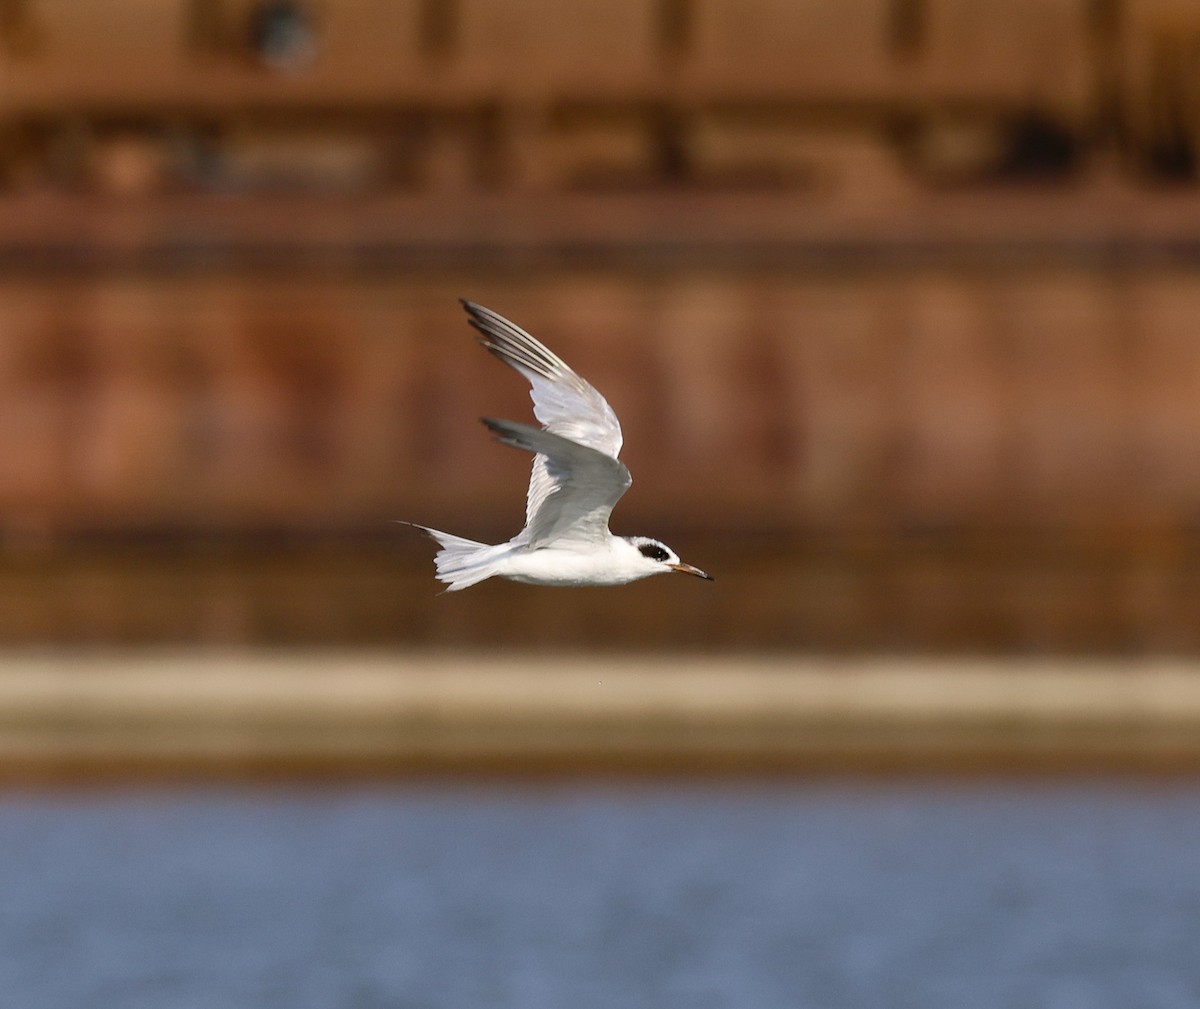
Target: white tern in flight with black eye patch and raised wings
x: 577, y: 481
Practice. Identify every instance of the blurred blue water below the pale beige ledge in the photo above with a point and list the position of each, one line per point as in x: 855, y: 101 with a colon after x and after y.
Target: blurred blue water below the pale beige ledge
x: 824, y: 896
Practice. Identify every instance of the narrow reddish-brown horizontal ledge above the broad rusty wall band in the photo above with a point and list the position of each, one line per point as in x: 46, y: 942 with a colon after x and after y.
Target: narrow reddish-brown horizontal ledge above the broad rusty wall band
x: 1097, y: 227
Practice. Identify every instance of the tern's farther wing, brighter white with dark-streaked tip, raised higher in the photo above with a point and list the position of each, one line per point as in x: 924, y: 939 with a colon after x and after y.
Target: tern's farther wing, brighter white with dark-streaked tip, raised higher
x: 563, y: 403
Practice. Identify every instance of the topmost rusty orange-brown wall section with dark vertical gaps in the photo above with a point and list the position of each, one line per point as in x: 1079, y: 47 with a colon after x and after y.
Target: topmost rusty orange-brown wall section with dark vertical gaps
x: 141, y: 95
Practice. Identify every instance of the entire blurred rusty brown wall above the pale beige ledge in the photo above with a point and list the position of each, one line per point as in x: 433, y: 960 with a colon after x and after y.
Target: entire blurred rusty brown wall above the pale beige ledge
x: 895, y: 299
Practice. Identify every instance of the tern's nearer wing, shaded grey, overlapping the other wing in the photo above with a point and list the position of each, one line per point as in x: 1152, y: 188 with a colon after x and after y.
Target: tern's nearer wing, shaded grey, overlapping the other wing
x: 583, y: 485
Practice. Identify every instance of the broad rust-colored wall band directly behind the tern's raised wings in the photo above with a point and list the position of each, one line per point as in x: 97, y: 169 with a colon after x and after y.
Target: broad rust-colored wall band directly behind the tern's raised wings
x: 875, y: 401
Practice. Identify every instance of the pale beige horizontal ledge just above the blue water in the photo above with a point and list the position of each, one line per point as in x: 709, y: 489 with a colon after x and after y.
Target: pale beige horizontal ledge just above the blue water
x: 100, y: 717
